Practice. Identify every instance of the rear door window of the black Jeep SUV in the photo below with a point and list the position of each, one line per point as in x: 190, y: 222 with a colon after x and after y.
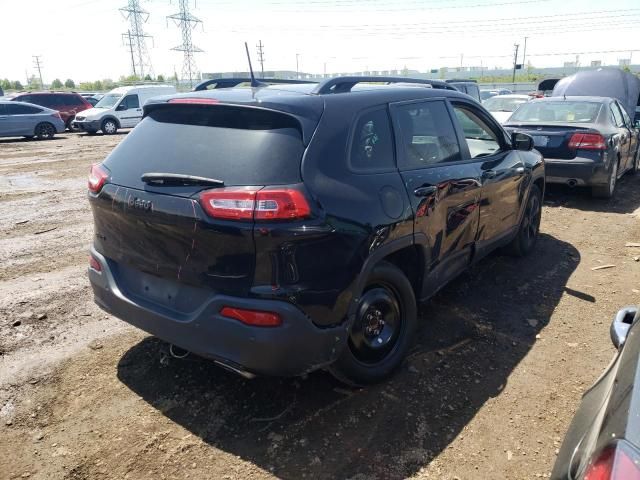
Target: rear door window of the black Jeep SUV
x: 426, y: 135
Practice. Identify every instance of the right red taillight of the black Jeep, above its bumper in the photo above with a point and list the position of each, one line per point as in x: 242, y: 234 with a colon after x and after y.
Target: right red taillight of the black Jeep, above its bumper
x: 247, y: 203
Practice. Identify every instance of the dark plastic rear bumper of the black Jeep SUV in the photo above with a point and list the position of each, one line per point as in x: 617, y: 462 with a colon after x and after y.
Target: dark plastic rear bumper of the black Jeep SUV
x: 294, y: 348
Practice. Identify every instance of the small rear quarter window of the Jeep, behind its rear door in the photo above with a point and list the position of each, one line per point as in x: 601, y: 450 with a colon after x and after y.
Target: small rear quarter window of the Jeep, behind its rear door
x: 372, y: 142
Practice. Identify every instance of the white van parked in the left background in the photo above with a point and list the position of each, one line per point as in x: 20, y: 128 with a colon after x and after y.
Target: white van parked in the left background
x: 120, y: 108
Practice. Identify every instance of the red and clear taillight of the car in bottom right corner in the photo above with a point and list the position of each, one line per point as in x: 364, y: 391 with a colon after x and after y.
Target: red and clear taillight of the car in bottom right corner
x: 616, y: 462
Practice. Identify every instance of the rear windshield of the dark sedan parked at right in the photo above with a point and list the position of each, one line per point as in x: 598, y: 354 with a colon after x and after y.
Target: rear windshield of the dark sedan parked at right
x: 563, y: 111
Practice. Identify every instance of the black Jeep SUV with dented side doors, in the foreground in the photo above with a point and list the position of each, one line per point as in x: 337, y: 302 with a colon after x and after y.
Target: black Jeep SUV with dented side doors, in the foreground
x: 282, y: 229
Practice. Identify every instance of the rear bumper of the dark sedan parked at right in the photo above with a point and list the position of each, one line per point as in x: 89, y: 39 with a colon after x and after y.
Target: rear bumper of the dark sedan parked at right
x: 576, y: 172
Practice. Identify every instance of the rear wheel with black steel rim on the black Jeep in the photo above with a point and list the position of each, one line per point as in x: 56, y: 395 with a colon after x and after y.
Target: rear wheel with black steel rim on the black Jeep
x: 382, y: 332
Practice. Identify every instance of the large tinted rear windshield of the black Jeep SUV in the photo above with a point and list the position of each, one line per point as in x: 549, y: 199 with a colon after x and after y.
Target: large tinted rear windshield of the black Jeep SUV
x: 238, y: 145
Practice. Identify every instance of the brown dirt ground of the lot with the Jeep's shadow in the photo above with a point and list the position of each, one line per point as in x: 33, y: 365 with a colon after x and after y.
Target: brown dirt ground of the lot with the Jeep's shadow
x: 503, y: 356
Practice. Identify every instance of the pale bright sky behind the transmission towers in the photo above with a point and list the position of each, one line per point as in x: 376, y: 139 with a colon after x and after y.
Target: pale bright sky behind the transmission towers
x: 82, y: 39
